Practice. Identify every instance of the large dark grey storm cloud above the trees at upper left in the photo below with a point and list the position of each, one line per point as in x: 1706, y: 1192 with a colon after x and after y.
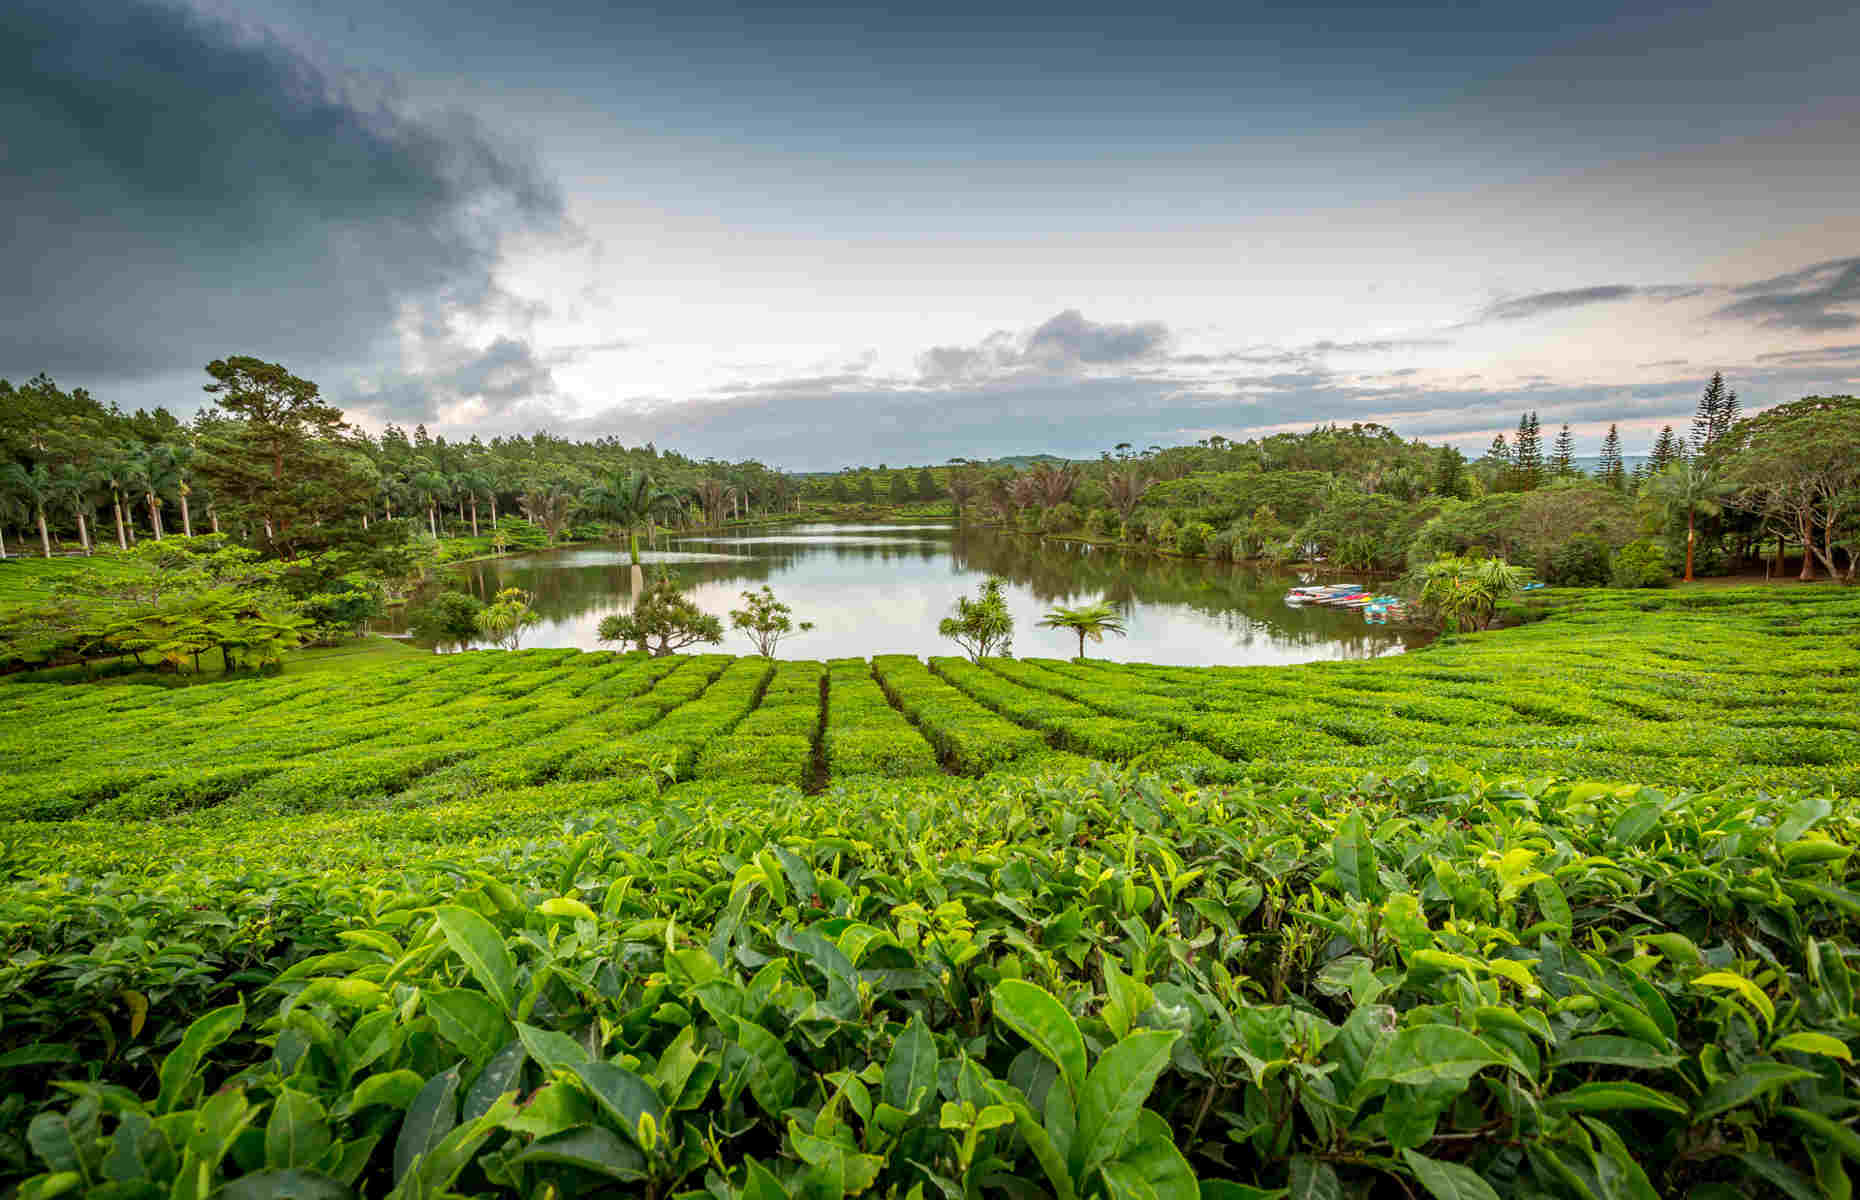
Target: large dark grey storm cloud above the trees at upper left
x: 176, y: 189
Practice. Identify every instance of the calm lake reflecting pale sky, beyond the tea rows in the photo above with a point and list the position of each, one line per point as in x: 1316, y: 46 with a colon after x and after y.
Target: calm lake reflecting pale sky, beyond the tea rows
x: 883, y: 589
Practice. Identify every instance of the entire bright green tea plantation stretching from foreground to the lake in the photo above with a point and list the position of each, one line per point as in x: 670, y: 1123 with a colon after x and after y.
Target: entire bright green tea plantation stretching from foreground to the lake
x: 1558, y: 911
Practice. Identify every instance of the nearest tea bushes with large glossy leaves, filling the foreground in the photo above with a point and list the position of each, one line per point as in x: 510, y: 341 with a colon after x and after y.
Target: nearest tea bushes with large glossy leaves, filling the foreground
x: 1093, y: 987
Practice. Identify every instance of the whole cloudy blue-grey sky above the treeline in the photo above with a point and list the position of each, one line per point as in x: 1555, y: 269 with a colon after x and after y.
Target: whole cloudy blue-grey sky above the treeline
x: 829, y: 235
